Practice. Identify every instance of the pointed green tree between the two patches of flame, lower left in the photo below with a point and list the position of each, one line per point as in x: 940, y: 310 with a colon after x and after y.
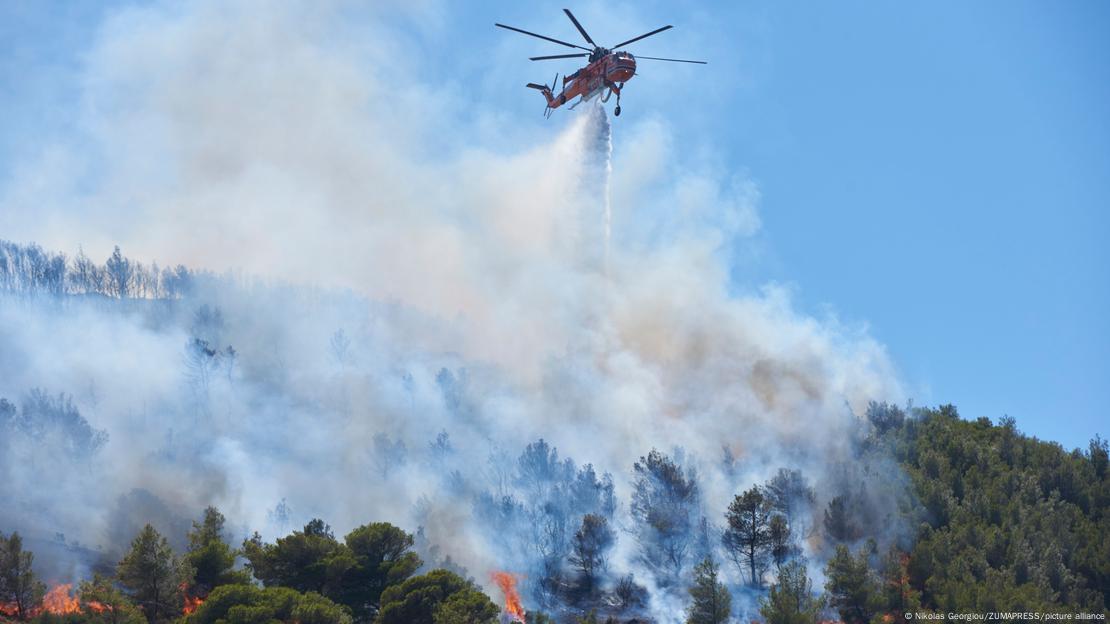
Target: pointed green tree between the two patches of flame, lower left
x: 152, y: 576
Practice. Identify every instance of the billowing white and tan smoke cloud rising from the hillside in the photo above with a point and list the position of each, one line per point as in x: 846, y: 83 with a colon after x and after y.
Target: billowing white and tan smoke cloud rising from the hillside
x: 268, y: 140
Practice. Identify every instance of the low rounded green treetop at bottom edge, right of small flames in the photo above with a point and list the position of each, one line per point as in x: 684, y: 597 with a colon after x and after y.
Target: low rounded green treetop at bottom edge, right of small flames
x: 249, y: 605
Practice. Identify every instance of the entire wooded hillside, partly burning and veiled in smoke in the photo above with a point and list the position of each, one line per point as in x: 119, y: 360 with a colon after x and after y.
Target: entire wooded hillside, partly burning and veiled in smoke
x: 912, y: 509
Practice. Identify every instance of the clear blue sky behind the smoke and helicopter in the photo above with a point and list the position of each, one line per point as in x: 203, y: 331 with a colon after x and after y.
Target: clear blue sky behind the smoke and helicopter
x: 940, y: 172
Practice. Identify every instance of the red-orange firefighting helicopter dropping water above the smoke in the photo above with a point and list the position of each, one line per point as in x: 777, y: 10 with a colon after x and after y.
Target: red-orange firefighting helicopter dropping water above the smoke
x: 608, y: 69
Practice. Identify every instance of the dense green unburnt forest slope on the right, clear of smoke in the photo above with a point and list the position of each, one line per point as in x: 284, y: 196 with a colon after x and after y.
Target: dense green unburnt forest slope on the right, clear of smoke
x: 1007, y: 524
